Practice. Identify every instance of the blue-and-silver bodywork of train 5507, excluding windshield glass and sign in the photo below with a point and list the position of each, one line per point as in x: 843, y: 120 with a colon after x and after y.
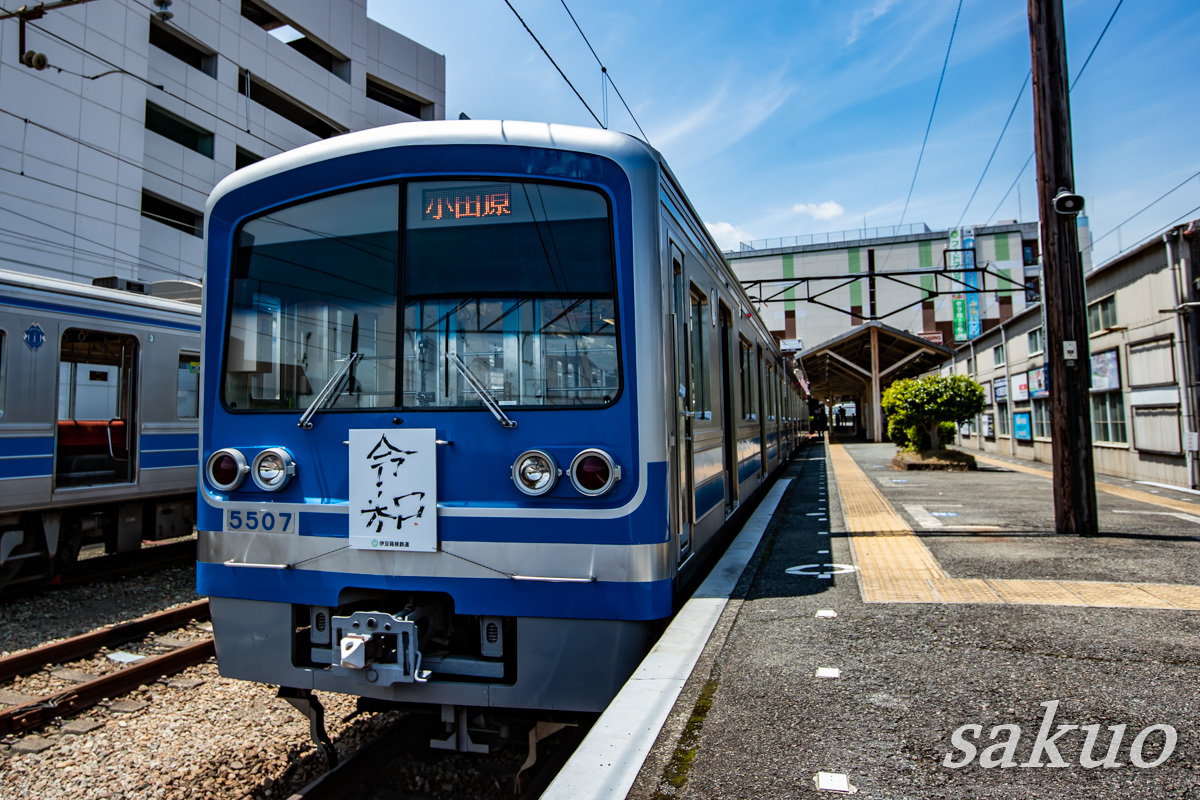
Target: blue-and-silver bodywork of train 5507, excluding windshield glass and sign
x: 557, y: 594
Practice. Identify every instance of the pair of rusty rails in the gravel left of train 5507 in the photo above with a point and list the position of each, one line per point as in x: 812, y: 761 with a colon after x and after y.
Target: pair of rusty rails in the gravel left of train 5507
x: 41, y: 711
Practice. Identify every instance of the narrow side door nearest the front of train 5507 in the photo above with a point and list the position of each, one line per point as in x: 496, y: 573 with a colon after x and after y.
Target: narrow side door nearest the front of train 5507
x: 682, y: 464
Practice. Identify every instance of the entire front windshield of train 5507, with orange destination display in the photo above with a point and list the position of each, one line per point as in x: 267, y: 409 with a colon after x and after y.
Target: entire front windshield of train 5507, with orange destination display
x: 512, y: 282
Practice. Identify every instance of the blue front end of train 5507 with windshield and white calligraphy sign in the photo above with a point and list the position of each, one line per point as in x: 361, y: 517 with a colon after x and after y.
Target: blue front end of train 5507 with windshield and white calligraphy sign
x: 423, y: 480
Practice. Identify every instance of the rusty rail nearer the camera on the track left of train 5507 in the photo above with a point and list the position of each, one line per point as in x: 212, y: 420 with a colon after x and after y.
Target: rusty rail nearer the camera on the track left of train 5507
x: 44, y: 709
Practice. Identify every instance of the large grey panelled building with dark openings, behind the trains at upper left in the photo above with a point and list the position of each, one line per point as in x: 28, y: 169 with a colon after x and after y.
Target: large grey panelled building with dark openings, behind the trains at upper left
x: 109, y: 152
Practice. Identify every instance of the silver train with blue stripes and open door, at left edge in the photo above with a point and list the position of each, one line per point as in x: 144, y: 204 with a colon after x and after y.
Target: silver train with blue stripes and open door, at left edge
x: 99, y: 422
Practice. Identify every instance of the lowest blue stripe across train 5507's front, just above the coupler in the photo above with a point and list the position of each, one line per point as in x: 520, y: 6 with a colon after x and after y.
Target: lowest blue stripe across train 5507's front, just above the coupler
x: 500, y: 597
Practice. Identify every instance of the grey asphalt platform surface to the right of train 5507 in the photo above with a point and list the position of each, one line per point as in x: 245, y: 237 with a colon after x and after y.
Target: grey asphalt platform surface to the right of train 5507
x: 755, y: 720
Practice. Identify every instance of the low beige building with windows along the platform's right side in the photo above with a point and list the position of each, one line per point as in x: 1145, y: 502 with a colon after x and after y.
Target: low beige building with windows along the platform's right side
x: 1143, y: 358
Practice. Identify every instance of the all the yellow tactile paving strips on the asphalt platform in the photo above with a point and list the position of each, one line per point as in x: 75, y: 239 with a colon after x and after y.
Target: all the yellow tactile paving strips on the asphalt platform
x: 896, y: 568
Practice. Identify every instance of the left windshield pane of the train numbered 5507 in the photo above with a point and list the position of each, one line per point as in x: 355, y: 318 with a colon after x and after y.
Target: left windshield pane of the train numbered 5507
x: 314, y: 284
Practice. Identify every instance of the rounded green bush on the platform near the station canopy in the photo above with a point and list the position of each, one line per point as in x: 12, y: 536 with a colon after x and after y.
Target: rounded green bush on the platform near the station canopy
x: 926, y: 404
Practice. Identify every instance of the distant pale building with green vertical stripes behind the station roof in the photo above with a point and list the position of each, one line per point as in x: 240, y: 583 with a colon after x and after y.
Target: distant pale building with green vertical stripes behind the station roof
x: 809, y: 290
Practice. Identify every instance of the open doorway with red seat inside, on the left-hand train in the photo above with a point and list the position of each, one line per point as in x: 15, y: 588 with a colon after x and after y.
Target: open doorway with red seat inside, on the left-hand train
x: 97, y: 438
